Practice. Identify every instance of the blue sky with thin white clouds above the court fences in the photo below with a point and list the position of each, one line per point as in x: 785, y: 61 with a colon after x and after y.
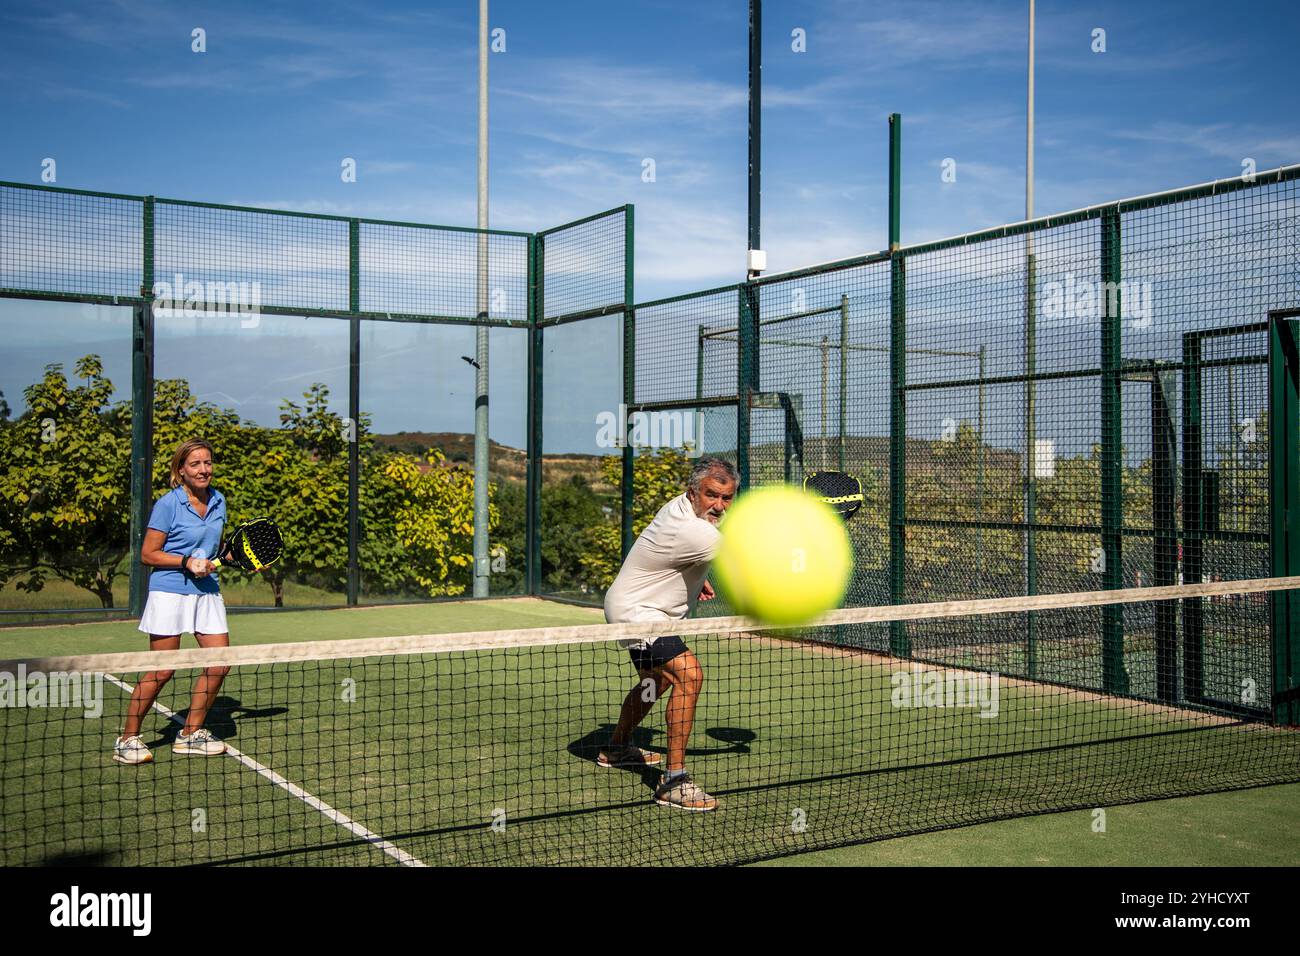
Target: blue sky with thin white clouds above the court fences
x: 587, y: 92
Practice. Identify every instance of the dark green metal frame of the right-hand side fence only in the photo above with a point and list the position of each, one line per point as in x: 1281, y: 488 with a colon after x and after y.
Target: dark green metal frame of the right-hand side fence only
x: 1162, y: 378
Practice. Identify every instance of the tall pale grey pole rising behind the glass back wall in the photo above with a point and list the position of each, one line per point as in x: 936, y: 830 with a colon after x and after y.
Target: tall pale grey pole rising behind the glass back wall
x: 482, y: 563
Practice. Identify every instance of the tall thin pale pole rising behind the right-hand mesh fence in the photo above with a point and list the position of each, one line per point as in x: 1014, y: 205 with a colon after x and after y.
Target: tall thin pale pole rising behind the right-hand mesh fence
x: 1032, y: 451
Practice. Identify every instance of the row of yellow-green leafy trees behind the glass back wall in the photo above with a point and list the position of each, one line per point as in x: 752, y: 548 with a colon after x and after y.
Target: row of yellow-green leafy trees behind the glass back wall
x: 66, y: 490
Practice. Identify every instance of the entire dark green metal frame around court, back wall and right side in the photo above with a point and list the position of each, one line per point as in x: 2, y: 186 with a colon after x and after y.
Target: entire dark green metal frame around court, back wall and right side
x: 1113, y: 374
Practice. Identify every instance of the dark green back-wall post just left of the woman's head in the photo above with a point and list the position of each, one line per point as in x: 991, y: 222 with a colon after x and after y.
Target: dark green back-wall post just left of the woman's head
x: 142, y: 417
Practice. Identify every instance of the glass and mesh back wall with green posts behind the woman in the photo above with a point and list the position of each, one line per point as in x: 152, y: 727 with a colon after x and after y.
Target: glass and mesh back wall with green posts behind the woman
x: 328, y: 358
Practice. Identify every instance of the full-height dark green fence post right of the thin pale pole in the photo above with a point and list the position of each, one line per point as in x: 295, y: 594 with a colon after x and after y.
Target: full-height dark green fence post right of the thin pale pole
x: 1115, y: 677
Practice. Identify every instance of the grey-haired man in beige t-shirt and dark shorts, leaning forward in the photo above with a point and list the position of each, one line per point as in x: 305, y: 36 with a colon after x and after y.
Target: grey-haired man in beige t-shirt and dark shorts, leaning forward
x: 661, y: 581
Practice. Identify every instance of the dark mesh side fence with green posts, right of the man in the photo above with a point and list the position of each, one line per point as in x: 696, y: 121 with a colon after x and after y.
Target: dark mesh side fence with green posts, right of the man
x: 1074, y: 404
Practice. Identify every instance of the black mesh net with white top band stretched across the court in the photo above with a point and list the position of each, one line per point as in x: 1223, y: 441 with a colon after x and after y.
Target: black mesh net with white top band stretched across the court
x: 482, y: 749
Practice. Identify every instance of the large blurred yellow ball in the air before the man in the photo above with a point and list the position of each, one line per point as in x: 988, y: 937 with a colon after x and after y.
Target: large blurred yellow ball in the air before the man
x: 785, y: 556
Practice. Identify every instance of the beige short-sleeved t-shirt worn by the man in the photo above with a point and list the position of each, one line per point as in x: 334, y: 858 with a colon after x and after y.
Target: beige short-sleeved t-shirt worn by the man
x: 665, y: 570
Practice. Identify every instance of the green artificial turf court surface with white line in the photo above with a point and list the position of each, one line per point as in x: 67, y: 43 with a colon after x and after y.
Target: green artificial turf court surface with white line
x: 427, y: 752
